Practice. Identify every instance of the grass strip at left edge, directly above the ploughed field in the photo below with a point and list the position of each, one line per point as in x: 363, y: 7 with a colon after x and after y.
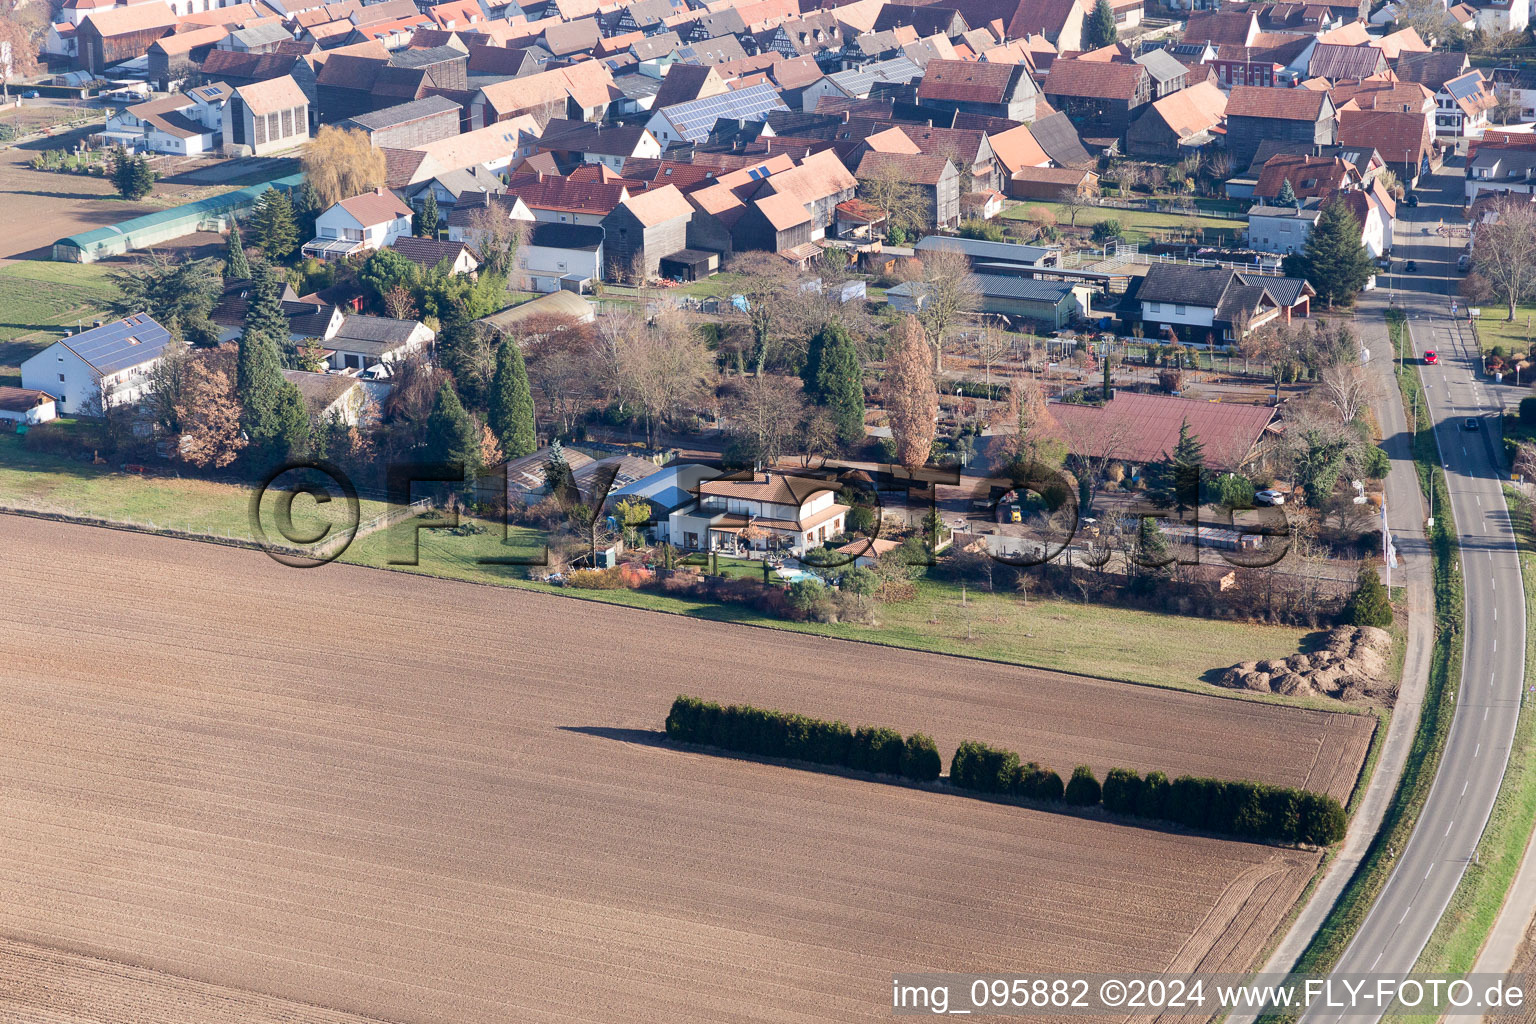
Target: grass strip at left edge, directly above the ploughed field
x: 42, y: 481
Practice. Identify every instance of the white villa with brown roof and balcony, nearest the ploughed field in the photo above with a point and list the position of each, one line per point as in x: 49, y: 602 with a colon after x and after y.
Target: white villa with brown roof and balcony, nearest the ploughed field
x: 770, y: 512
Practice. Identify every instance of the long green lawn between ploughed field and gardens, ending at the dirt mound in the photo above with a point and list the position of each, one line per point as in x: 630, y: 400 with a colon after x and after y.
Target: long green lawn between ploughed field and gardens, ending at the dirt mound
x: 1061, y: 635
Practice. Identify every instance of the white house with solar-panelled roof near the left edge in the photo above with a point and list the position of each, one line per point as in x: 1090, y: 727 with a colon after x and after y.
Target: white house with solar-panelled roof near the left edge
x: 116, y: 358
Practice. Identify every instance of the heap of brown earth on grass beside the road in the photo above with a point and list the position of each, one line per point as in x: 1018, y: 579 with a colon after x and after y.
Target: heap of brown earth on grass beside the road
x: 1351, y: 664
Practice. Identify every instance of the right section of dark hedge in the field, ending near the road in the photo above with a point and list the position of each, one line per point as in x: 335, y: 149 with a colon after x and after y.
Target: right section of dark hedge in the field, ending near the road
x: 1211, y: 805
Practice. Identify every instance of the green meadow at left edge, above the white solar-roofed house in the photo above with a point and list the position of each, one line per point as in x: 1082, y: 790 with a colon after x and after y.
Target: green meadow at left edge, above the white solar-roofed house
x: 39, y: 302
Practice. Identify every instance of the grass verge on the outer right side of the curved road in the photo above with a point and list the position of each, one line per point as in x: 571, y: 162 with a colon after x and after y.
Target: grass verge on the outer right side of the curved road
x: 1469, y: 919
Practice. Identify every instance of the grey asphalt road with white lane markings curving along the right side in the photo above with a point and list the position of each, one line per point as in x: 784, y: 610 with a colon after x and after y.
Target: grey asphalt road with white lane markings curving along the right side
x: 1489, y: 693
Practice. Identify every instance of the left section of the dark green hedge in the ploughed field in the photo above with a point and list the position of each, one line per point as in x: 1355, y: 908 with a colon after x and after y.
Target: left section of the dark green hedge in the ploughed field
x: 784, y: 735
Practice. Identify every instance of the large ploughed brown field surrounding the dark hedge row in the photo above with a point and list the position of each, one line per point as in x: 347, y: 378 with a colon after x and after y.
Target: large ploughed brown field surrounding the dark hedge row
x: 230, y: 785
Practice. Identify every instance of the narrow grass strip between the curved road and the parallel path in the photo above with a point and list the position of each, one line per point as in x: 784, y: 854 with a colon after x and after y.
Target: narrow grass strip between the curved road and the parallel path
x: 1429, y: 742
